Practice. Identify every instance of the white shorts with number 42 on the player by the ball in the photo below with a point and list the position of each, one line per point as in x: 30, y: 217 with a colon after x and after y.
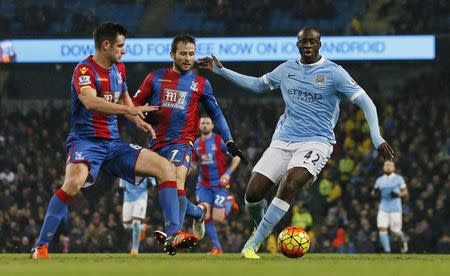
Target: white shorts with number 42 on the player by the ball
x: 281, y: 156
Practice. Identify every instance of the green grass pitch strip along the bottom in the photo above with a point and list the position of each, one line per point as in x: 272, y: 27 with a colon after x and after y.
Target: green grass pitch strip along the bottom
x: 228, y: 264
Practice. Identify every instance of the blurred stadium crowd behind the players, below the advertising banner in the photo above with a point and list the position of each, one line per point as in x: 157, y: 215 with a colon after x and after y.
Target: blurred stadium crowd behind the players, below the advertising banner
x: 337, y: 209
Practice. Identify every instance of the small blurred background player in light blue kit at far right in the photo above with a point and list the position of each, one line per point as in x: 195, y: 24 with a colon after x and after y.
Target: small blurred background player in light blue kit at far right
x: 391, y: 188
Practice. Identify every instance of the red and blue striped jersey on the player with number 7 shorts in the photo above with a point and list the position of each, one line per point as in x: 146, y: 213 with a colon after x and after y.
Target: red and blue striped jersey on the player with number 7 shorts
x: 178, y: 97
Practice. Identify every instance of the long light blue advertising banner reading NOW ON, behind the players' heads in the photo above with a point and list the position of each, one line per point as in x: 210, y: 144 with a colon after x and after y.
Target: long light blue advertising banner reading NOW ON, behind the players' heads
x: 357, y: 48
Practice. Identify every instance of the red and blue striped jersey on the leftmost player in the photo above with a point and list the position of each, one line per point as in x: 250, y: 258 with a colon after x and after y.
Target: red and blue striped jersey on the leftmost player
x: 109, y: 84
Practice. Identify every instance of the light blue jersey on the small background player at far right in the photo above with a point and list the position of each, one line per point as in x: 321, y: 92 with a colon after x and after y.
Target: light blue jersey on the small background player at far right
x: 387, y: 184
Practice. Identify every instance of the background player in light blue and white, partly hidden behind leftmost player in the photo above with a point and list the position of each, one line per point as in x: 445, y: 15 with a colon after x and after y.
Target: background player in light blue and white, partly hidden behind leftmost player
x: 134, y: 210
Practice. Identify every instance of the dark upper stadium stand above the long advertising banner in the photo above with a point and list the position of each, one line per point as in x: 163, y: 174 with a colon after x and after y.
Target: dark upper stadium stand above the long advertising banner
x: 59, y: 18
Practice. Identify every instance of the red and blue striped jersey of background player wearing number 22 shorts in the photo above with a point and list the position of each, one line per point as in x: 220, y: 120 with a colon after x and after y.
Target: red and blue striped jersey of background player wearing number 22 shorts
x: 211, y: 154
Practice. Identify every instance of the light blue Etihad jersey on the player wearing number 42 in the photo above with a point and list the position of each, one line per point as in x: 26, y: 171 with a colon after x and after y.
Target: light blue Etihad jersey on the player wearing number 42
x: 312, y: 93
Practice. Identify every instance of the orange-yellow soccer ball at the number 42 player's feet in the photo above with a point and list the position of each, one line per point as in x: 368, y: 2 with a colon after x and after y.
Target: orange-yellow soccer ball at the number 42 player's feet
x: 293, y: 242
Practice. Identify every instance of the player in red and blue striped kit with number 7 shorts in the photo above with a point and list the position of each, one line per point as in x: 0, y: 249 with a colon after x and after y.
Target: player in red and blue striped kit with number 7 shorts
x: 178, y: 91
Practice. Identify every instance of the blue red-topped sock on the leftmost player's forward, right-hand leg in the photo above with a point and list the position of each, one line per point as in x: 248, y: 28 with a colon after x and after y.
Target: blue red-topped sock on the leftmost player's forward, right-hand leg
x: 167, y: 193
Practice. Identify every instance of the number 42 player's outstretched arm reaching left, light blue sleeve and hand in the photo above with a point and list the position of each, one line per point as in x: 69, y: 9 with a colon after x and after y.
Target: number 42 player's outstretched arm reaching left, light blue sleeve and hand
x: 253, y: 84
